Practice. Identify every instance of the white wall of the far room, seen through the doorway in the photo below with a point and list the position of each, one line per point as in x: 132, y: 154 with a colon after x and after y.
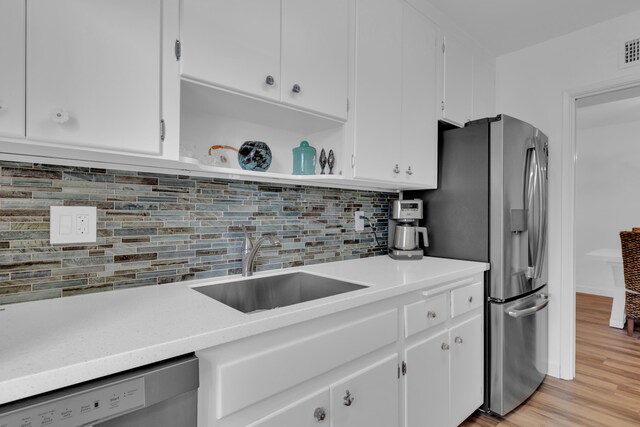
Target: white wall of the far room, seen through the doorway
x: 607, y: 177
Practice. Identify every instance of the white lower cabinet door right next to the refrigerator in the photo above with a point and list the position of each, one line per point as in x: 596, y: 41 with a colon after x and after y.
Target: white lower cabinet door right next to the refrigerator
x: 467, y: 367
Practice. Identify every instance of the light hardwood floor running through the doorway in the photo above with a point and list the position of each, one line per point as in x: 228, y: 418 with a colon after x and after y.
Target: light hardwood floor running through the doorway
x: 606, y: 390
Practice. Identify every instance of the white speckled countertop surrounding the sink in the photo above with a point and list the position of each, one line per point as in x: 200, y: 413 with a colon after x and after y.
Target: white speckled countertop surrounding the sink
x: 45, y: 345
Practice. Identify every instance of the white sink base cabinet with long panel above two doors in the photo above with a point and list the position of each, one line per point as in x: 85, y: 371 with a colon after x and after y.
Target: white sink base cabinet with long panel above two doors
x: 268, y: 374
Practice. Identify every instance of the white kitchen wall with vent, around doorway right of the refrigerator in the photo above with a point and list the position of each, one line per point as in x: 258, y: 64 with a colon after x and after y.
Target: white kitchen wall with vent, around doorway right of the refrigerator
x: 530, y: 85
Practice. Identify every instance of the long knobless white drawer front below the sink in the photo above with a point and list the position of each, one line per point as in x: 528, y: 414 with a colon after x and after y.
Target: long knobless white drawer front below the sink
x: 262, y: 374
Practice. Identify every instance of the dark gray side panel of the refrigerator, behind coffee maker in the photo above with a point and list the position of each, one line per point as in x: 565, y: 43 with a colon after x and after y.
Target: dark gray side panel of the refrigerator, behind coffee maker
x: 457, y: 213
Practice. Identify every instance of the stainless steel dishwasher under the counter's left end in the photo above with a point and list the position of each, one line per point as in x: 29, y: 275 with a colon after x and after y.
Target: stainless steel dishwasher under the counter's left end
x: 163, y: 394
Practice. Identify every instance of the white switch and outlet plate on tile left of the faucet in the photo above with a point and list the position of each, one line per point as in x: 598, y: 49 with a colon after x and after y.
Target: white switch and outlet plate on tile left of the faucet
x: 72, y: 224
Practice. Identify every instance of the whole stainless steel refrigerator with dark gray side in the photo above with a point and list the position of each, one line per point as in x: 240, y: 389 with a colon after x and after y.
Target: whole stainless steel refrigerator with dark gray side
x: 491, y: 206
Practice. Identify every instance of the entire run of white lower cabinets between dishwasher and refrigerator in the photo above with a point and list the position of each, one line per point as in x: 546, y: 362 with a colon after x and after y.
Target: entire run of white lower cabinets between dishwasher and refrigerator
x: 355, y: 368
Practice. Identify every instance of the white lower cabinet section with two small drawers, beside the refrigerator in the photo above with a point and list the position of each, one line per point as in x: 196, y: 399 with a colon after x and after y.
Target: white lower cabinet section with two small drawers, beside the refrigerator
x: 444, y: 362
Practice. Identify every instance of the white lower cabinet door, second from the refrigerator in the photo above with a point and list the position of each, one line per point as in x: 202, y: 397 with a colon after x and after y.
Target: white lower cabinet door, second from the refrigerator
x: 427, y: 382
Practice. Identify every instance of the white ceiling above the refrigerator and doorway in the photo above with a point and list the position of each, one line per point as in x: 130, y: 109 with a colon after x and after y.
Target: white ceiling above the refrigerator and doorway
x: 504, y: 26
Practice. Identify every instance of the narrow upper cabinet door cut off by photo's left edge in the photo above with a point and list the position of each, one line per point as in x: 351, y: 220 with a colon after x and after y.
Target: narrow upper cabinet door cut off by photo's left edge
x: 12, y: 48
